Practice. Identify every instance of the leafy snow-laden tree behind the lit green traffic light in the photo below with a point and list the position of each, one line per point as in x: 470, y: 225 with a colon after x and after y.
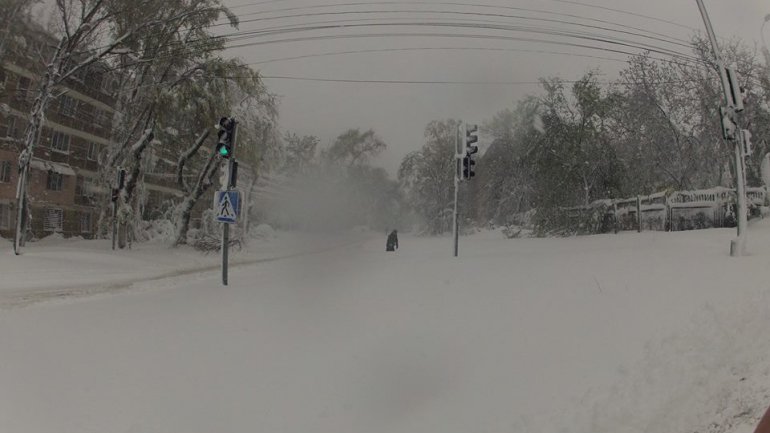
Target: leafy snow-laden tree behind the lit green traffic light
x: 171, y: 79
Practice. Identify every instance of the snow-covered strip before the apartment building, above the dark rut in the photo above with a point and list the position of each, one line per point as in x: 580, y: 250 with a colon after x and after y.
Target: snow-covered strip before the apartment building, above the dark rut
x: 56, y: 267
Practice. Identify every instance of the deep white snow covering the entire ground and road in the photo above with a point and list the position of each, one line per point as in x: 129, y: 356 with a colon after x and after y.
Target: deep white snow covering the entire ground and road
x: 650, y: 332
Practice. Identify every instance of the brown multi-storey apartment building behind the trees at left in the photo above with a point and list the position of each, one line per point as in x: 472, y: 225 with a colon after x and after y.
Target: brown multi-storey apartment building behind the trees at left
x: 64, y: 182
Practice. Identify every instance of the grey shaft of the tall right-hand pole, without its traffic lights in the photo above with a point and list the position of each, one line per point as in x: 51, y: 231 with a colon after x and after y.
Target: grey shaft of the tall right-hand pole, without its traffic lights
x: 737, y: 246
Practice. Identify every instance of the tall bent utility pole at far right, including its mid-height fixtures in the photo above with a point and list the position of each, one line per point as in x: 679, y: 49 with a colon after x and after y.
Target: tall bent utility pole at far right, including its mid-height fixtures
x: 734, y: 103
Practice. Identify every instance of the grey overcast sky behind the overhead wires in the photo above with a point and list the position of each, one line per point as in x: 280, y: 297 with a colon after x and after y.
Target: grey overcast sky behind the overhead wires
x: 400, y: 112
